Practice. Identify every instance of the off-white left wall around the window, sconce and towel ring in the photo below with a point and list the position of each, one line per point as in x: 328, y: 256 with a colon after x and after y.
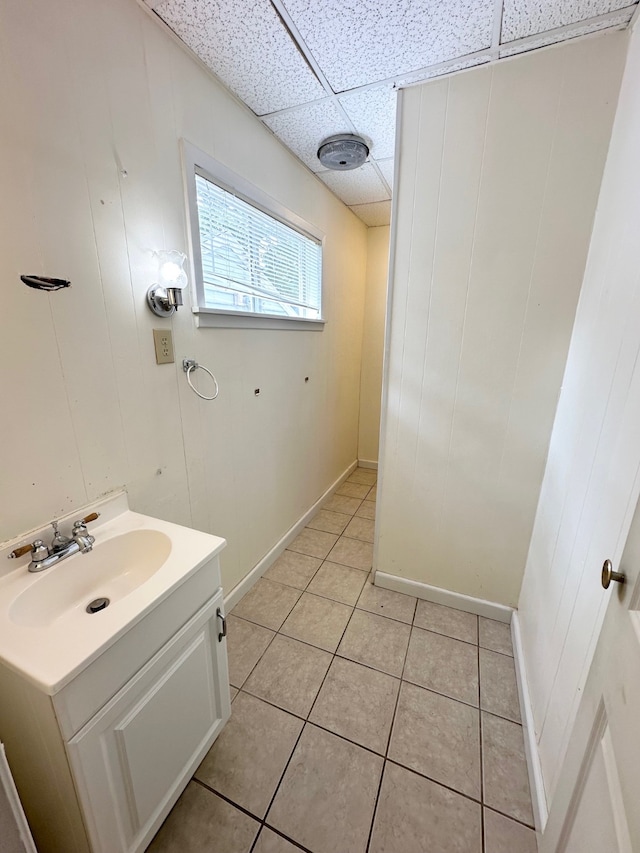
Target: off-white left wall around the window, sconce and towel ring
x: 95, y: 97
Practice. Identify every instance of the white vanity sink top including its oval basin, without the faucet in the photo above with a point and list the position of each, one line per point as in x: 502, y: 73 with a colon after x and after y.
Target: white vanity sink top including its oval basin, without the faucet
x: 137, y: 561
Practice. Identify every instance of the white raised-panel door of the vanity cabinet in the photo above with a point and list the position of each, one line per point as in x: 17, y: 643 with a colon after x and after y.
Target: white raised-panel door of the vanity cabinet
x: 134, y: 758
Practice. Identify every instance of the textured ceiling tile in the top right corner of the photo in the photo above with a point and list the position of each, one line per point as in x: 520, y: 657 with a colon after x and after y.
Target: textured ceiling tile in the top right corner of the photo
x: 522, y: 18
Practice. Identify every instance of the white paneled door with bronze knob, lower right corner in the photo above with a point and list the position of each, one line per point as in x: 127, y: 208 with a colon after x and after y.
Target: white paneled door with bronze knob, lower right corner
x: 597, y: 805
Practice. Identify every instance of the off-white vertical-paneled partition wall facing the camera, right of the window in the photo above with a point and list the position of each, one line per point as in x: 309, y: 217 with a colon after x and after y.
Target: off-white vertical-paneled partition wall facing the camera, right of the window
x: 497, y: 181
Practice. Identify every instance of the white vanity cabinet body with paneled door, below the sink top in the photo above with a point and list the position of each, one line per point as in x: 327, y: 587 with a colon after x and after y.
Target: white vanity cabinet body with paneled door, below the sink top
x: 100, y: 763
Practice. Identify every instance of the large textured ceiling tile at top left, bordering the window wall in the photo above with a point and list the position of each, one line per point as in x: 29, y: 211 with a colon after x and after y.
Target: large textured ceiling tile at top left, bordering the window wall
x: 249, y: 49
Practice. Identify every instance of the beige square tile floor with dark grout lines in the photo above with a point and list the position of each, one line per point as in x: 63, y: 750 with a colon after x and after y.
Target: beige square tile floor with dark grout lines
x: 363, y: 721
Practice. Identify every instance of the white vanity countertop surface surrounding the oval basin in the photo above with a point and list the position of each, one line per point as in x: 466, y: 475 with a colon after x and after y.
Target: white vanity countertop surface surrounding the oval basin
x: 52, y: 654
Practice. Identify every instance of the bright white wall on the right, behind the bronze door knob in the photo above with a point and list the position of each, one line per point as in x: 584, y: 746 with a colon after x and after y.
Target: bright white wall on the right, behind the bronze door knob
x: 592, y: 478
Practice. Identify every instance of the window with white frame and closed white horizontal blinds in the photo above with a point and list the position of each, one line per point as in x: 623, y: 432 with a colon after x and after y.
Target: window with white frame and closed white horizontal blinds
x: 255, y: 263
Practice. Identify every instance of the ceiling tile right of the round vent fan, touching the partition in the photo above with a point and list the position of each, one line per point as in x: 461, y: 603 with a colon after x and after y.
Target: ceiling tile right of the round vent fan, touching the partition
x: 373, y: 113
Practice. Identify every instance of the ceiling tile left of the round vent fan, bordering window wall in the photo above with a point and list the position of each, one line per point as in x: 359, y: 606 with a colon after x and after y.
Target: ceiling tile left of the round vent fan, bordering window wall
x: 304, y: 129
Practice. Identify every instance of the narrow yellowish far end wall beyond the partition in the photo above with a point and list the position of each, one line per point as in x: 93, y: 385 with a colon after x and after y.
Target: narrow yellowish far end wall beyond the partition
x: 372, y: 342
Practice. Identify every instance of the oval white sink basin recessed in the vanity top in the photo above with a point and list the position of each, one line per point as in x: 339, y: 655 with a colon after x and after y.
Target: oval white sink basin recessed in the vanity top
x: 111, y: 570
